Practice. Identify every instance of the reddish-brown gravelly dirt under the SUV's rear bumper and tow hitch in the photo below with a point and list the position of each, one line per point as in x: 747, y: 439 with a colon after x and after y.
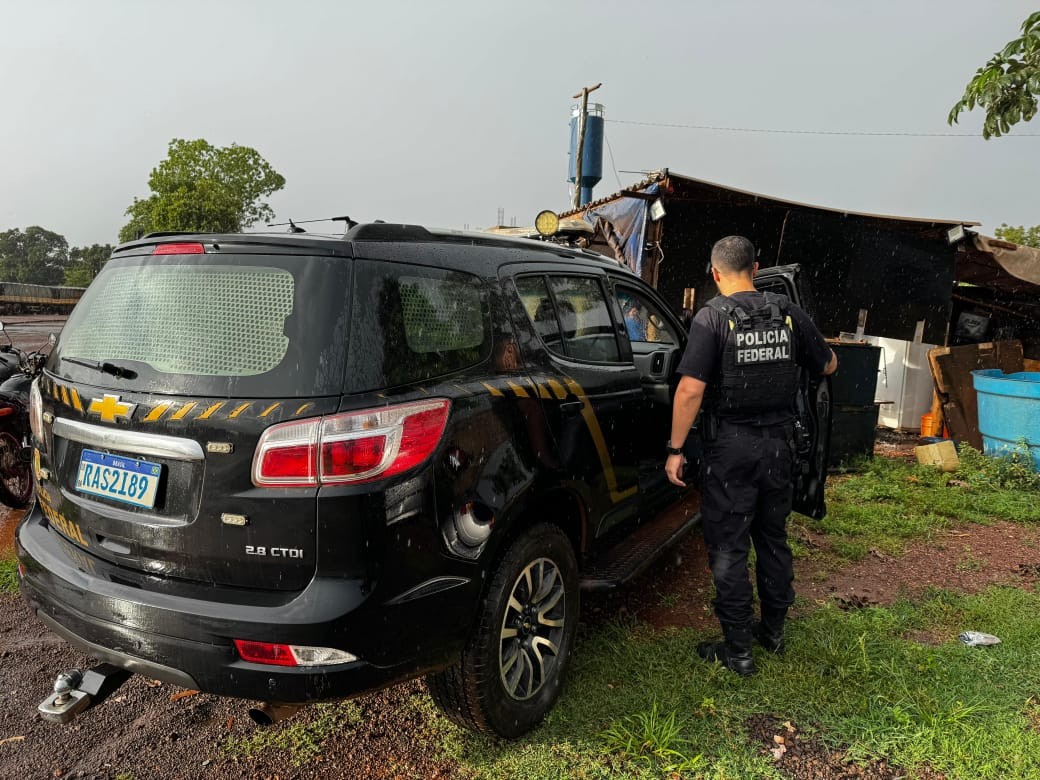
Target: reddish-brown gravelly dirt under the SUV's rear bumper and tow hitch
x: 146, y: 731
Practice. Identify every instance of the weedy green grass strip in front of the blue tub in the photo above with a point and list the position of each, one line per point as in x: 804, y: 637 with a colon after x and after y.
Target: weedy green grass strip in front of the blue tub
x: 888, y: 504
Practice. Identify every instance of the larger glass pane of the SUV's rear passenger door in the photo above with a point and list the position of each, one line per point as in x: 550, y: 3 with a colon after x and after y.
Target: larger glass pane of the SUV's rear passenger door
x: 587, y: 326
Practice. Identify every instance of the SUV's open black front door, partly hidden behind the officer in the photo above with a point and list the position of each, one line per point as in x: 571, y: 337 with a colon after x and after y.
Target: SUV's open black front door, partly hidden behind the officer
x: 813, y: 420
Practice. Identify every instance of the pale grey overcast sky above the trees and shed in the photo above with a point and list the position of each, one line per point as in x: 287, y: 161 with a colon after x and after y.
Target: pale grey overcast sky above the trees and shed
x: 441, y: 113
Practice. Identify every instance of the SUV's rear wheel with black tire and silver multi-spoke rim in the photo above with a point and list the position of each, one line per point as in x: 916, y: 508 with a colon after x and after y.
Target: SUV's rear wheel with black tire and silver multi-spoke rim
x: 510, y: 673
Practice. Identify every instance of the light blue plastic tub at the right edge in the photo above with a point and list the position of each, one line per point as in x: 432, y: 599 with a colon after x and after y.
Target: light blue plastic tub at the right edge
x: 1009, y: 411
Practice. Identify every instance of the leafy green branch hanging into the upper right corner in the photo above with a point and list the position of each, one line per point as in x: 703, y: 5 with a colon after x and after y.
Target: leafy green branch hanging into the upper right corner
x: 1007, y: 86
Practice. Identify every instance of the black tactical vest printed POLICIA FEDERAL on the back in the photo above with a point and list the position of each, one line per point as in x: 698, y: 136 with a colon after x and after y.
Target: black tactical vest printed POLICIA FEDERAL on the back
x: 758, y: 373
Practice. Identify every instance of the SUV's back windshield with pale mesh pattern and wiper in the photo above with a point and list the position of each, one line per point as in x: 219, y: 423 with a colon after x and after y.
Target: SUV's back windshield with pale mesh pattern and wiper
x: 259, y: 326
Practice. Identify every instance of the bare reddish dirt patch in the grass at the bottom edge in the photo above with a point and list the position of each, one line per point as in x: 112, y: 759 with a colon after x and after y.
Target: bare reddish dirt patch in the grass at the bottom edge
x: 799, y: 756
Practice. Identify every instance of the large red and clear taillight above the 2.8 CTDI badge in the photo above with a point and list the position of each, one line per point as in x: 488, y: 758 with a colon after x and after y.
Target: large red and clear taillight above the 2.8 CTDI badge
x: 351, y: 448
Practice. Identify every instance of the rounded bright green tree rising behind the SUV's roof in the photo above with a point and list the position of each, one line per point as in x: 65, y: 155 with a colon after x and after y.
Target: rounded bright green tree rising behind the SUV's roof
x: 205, y: 189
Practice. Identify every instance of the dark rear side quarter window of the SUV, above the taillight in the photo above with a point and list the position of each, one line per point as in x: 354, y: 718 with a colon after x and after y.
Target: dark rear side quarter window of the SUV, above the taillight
x: 414, y: 324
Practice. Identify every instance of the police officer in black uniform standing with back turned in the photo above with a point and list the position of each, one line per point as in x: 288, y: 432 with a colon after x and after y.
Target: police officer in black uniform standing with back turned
x: 742, y: 363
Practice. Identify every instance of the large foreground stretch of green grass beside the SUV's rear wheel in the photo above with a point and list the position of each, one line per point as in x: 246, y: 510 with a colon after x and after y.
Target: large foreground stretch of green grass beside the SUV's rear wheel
x: 640, y: 705
